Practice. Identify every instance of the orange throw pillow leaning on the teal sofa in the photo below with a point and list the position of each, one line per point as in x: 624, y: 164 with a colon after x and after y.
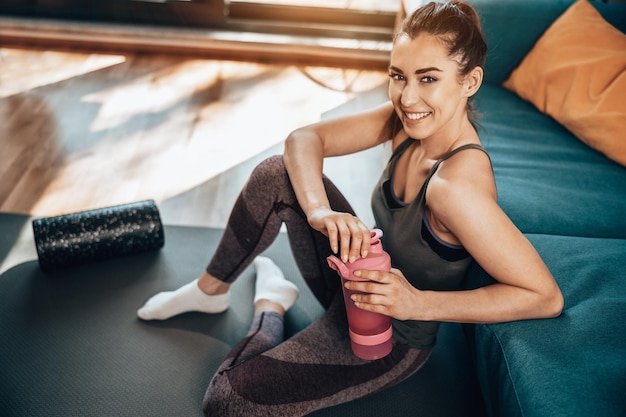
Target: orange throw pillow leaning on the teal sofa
x: 576, y: 73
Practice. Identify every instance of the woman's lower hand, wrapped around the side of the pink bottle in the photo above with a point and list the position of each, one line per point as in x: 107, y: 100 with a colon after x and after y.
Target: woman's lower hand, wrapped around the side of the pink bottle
x: 389, y: 293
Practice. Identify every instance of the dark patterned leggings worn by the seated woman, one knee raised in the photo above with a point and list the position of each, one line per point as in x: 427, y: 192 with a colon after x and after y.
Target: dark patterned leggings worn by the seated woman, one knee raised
x: 265, y: 375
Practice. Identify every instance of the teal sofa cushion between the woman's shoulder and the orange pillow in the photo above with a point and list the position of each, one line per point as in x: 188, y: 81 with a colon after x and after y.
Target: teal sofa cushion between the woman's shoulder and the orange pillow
x: 548, y: 181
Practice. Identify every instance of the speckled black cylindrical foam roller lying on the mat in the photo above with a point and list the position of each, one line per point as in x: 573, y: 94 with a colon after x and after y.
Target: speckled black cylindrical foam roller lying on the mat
x: 94, y: 235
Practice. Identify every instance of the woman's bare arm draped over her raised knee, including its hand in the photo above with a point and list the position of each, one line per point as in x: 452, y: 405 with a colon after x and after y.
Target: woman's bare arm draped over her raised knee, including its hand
x: 305, y: 150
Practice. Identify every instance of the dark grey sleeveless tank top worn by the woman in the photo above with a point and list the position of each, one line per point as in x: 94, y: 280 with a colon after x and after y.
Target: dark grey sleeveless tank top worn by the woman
x: 410, y: 248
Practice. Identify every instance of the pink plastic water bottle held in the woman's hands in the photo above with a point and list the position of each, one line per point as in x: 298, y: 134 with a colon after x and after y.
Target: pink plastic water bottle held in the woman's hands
x: 370, y: 333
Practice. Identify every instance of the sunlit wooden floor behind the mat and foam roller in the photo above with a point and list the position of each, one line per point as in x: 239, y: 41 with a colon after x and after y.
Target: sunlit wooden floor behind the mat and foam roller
x: 81, y: 131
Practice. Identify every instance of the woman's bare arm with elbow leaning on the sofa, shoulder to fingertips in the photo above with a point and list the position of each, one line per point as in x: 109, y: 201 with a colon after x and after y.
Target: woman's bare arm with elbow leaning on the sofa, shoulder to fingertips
x: 467, y: 207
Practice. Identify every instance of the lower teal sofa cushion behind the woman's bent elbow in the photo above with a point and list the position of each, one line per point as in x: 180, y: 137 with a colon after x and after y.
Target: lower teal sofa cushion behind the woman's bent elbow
x: 574, y: 365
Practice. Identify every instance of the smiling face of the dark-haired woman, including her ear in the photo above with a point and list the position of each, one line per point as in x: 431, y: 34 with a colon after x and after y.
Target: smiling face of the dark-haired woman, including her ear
x: 428, y: 94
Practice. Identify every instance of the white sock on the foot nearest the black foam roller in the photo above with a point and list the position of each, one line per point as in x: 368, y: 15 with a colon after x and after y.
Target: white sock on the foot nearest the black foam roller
x: 187, y: 298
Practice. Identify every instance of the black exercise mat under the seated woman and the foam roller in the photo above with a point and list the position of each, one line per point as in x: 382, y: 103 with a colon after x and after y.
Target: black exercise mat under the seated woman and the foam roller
x: 75, y: 347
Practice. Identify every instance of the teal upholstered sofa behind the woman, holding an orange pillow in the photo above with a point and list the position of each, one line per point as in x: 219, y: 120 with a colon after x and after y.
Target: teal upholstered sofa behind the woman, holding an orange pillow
x: 570, y: 201
